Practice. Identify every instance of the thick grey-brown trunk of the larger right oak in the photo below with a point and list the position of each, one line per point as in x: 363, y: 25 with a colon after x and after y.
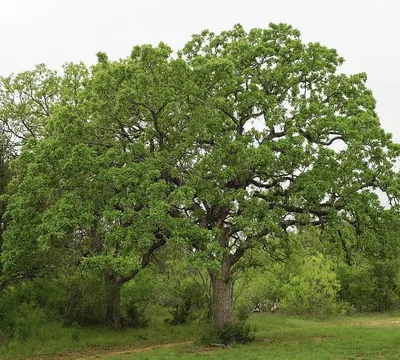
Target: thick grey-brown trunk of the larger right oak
x: 222, y: 296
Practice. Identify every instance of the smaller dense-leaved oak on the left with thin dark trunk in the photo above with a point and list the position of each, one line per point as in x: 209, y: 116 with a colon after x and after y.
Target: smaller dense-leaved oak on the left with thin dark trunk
x: 93, y: 185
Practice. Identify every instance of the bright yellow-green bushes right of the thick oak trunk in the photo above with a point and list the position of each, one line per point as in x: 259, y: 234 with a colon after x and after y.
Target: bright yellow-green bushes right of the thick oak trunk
x: 305, y: 282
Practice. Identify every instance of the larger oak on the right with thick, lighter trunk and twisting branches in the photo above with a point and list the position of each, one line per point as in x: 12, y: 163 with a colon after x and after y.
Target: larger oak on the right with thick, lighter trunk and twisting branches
x: 283, y: 139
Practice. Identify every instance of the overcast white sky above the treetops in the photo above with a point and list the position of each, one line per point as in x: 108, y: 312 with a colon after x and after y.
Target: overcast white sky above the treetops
x: 365, y: 32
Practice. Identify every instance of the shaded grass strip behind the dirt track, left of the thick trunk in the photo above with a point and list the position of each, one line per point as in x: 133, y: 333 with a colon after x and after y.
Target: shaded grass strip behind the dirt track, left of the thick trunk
x: 52, y: 340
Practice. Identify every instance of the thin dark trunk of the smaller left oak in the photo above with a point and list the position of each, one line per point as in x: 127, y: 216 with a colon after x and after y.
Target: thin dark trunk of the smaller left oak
x: 113, y: 301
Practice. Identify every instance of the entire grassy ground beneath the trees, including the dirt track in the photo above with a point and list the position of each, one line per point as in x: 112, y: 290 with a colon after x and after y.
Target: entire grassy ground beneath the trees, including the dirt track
x: 278, y: 337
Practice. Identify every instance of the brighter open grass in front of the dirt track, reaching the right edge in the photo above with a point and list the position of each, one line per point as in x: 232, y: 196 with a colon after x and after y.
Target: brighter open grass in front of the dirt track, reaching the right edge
x: 366, y: 337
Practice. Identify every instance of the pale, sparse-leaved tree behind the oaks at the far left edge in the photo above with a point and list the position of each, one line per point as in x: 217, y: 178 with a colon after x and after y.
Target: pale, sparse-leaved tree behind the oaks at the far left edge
x: 26, y: 103
